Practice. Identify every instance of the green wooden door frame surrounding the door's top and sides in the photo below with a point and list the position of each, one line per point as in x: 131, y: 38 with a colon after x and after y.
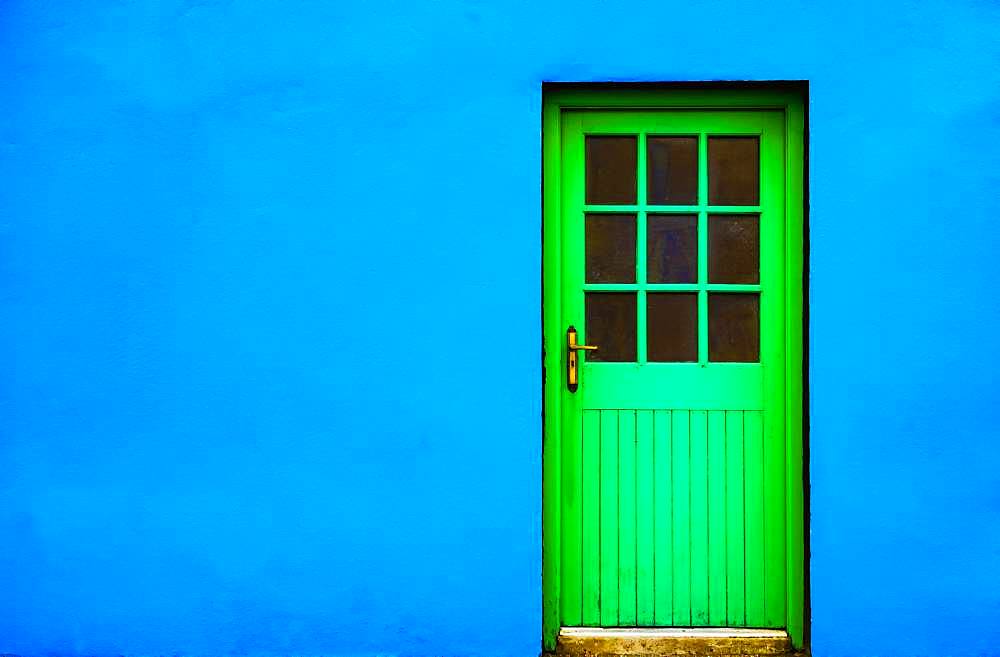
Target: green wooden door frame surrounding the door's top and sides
x: 791, y: 102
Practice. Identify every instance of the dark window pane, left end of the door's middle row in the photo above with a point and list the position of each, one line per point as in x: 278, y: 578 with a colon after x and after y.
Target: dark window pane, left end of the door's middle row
x: 610, y: 245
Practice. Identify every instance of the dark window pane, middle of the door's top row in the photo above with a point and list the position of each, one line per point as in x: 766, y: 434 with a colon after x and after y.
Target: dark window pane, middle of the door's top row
x: 672, y: 170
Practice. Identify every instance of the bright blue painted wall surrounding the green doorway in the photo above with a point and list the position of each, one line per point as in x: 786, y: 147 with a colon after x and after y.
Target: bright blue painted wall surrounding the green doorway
x: 214, y: 215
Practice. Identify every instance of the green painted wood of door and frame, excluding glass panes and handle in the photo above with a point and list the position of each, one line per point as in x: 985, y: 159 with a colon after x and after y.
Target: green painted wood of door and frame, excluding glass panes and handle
x: 712, y: 539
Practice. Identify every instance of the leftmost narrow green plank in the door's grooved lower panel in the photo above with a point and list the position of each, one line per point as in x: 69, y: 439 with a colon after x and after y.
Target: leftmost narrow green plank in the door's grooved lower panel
x: 591, y: 532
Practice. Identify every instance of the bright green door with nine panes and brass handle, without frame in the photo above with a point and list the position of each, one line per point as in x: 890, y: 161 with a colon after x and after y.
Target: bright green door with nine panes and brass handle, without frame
x: 674, y: 468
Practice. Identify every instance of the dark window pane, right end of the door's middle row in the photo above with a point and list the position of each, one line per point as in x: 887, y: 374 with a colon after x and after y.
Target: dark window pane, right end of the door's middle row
x: 733, y: 248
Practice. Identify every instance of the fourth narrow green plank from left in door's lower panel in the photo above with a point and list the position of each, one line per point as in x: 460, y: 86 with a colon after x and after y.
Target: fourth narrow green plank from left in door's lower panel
x: 645, y: 476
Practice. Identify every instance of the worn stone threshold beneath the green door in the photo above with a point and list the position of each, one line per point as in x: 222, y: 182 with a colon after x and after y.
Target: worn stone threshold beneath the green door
x: 672, y: 642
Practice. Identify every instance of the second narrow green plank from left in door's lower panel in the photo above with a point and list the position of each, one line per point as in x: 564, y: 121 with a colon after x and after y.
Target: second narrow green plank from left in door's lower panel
x: 609, y: 518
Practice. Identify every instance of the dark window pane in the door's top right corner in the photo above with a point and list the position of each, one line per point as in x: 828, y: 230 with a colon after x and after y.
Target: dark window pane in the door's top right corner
x: 733, y: 170
